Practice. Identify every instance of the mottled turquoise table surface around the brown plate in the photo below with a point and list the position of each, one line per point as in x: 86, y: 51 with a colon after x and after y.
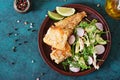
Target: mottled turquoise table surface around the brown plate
x: 19, y: 54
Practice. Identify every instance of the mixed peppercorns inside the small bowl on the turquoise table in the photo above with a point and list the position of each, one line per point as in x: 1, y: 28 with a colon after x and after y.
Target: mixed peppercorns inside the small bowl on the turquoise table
x: 22, y: 4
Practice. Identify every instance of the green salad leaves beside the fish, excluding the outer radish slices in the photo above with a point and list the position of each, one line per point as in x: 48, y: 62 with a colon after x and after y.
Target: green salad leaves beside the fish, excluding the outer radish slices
x: 84, y: 46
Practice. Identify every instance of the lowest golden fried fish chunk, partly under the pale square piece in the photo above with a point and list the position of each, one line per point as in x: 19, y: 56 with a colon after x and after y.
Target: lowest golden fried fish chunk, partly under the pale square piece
x: 60, y: 55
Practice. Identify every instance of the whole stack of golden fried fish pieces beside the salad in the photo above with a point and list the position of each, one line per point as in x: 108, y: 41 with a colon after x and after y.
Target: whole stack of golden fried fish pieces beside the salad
x: 57, y: 36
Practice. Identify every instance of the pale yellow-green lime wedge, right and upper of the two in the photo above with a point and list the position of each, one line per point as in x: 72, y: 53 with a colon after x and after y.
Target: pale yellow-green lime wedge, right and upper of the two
x: 65, y: 11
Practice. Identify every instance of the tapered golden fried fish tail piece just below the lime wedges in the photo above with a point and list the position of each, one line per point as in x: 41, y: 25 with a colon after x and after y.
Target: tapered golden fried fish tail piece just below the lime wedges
x: 72, y: 21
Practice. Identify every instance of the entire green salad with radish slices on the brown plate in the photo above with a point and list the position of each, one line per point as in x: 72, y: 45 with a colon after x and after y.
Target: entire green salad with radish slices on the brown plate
x: 87, y: 44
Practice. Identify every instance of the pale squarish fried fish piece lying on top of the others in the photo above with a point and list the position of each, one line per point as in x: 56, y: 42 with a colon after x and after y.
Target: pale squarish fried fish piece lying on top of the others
x: 57, y: 37
